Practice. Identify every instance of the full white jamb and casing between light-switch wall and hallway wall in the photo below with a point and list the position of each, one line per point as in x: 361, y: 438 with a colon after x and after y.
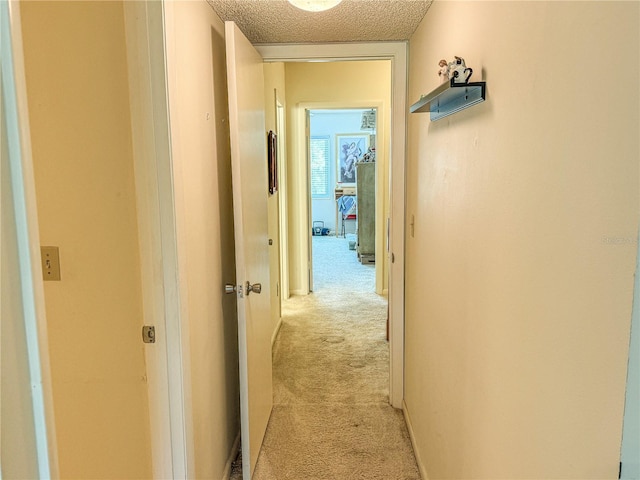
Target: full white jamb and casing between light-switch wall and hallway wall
x: 166, y: 366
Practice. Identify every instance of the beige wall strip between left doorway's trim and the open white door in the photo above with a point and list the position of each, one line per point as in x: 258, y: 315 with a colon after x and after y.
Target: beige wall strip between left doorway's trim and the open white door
x: 204, y: 217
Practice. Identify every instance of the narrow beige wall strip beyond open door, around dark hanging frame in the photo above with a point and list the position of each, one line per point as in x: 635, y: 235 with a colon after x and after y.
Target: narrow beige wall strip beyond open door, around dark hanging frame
x: 274, y: 83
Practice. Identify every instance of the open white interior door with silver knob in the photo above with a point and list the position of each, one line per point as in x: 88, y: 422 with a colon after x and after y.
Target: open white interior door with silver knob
x: 249, y: 179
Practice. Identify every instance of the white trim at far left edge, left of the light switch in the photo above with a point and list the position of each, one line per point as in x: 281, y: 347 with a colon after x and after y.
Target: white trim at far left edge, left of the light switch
x: 28, y: 235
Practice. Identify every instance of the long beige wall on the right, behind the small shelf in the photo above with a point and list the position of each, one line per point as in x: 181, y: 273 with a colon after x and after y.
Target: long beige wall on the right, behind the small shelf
x: 526, y: 216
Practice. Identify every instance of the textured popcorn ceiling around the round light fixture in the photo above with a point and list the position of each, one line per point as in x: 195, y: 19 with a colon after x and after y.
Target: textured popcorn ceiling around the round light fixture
x: 277, y: 21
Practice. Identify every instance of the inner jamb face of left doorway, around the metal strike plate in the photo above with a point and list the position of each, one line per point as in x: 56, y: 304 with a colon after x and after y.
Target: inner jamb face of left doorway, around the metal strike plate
x: 142, y: 128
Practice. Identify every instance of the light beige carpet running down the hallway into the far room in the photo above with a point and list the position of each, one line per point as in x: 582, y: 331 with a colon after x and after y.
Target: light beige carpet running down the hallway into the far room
x: 331, y: 417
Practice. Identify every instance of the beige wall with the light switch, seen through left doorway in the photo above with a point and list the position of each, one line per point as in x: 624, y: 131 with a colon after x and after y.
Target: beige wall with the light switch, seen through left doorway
x: 75, y: 59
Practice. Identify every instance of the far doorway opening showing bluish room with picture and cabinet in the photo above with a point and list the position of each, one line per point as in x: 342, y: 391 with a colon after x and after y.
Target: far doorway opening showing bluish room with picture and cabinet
x: 342, y: 171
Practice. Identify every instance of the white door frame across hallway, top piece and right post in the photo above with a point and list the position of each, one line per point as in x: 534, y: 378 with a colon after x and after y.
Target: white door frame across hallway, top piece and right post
x: 397, y: 53
